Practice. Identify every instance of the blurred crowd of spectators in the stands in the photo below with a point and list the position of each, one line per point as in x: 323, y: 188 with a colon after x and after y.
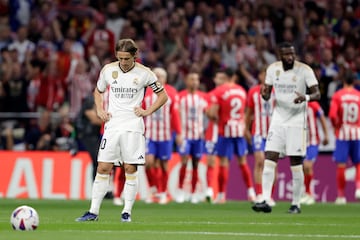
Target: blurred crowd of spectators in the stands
x: 52, y: 51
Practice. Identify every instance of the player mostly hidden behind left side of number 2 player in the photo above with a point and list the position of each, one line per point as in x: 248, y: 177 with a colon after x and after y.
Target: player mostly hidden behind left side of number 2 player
x: 211, y: 137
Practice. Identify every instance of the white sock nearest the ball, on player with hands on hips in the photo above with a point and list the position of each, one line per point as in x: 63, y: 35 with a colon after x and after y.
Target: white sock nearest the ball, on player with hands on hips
x: 99, y: 190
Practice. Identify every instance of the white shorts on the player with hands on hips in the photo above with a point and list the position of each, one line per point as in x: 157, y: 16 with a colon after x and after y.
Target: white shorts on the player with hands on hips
x: 121, y: 147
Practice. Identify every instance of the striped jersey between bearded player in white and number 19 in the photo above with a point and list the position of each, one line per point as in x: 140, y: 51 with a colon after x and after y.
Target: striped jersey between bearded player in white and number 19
x: 314, y: 111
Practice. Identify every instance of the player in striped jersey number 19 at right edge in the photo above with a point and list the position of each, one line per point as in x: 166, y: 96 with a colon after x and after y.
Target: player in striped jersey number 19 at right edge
x: 344, y: 116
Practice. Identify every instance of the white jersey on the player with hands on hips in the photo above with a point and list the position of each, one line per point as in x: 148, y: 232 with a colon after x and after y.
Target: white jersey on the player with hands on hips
x: 126, y: 91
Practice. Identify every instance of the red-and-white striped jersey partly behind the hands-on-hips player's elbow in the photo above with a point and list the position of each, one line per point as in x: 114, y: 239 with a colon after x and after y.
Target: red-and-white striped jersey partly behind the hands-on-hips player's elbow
x: 160, y: 124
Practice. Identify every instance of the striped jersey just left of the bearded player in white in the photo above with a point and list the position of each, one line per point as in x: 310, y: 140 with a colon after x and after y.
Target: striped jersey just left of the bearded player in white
x: 262, y: 111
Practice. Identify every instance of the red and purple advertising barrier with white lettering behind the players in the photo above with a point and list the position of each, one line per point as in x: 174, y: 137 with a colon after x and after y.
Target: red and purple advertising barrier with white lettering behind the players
x: 58, y: 175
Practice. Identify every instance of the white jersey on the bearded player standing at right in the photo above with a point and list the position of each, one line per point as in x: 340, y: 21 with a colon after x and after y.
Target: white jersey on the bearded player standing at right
x: 285, y: 84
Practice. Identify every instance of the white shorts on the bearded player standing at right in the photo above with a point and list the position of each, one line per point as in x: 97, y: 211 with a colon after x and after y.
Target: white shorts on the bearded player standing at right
x: 288, y: 140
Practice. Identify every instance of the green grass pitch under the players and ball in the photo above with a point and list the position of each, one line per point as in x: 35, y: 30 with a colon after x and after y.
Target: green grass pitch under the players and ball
x: 233, y: 220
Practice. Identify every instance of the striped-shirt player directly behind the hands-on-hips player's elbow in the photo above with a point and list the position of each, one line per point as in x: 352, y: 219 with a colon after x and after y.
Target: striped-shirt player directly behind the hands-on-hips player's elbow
x: 159, y: 144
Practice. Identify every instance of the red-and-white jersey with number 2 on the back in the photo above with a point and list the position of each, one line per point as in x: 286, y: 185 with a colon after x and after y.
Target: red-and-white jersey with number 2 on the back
x: 231, y: 99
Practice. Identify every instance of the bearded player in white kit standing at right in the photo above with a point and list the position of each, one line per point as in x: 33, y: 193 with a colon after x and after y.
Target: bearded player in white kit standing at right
x: 287, y: 132
